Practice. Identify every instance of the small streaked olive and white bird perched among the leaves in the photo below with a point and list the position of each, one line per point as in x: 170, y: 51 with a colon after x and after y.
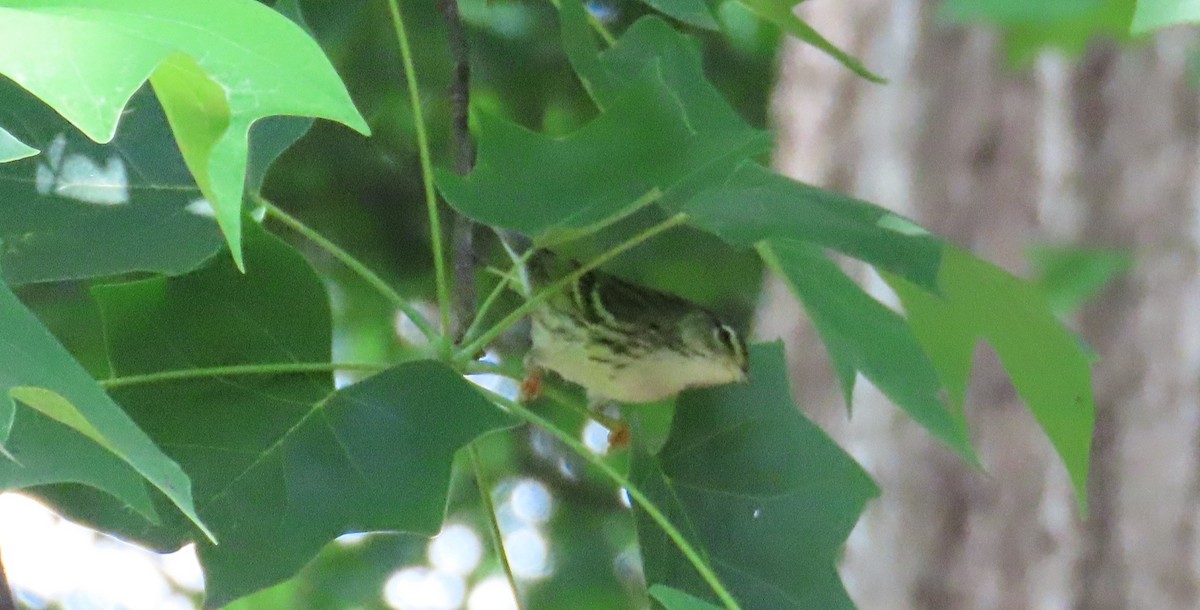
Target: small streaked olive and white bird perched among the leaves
x: 626, y: 343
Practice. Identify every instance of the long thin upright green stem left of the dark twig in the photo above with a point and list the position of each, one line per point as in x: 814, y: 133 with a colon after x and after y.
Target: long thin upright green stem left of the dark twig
x: 445, y: 344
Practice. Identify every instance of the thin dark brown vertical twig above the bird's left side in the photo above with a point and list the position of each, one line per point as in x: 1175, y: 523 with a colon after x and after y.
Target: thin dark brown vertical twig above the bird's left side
x: 464, y: 160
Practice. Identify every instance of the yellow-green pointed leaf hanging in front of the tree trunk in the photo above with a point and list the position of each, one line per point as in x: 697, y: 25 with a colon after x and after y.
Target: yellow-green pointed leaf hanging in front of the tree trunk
x: 1048, y: 367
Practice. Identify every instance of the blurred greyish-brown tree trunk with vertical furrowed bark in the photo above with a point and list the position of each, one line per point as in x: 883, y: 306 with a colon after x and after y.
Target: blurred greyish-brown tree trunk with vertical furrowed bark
x: 1101, y: 151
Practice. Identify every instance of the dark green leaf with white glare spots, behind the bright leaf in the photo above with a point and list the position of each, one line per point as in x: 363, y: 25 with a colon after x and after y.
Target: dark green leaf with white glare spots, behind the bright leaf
x: 82, y: 210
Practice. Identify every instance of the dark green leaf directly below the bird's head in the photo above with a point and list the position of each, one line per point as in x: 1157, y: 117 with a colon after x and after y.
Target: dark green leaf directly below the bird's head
x: 748, y: 480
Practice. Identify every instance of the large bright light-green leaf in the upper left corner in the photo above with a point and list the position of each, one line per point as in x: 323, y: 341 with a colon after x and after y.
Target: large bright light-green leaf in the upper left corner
x: 218, y: 68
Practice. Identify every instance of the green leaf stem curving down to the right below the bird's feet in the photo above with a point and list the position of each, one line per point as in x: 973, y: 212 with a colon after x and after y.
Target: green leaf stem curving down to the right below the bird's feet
x: 640, y: 499
